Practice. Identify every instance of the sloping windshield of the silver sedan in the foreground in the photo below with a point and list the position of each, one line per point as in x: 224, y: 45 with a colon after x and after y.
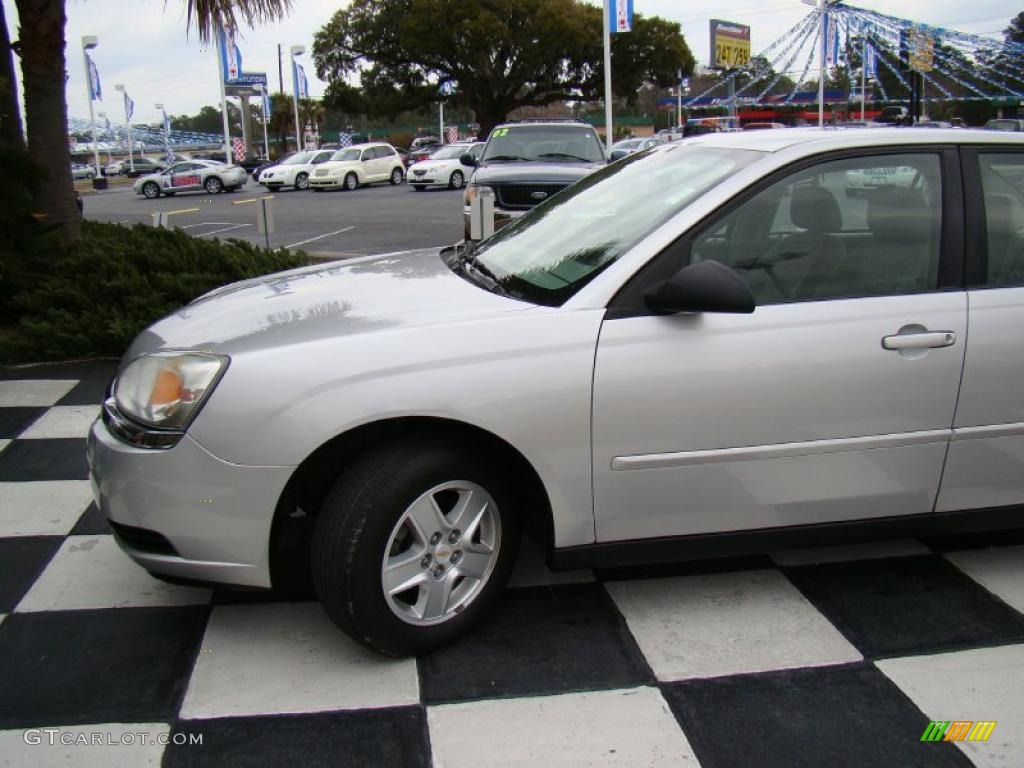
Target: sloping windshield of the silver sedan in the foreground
x: 553, y: 251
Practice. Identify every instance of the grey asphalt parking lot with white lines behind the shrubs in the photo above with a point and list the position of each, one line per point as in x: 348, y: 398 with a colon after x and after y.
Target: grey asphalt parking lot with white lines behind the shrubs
x: 373, y: 220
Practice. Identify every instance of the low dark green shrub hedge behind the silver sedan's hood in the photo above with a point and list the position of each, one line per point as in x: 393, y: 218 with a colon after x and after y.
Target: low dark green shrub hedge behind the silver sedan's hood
x: 94, y: 300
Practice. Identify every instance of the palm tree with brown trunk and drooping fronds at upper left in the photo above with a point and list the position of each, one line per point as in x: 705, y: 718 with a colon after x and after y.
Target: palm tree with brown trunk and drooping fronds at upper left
x: 41, y: 47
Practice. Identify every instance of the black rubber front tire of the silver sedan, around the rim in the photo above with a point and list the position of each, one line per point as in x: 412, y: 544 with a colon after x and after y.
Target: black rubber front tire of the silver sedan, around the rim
x: 355, y: 529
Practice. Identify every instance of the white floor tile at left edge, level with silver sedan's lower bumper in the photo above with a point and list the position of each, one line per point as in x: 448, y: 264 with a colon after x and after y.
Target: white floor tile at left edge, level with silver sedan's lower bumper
x: 42, y: 508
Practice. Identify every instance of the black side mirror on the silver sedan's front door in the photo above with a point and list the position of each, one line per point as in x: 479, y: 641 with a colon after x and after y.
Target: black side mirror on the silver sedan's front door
x: 704, y: 287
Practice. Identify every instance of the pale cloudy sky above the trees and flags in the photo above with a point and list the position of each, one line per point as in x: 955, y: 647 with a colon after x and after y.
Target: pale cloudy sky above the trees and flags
x: 145, y: 46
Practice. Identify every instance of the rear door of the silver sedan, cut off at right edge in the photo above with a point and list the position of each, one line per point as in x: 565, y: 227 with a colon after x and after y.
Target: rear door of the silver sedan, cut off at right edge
x: 986, y: 467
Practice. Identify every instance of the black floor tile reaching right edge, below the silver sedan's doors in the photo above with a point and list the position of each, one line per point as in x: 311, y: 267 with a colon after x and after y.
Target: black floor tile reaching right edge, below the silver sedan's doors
x: 906, y: 606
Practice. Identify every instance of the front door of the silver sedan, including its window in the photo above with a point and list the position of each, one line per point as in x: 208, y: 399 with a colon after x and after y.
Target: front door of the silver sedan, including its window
x: 834, y: 401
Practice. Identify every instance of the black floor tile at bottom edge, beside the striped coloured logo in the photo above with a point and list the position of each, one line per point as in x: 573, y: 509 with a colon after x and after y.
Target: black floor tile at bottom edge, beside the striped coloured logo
x: 840, y: 717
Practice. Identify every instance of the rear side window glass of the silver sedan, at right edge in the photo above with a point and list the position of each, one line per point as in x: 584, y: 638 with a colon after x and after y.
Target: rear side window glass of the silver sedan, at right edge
x: 1003, y: 189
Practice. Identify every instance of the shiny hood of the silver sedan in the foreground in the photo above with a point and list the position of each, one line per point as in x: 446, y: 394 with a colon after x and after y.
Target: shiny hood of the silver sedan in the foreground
x: 364, y: 295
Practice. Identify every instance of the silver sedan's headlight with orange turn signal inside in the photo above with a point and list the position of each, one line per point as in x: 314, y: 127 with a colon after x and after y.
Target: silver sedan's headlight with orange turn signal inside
x: 166, y: 390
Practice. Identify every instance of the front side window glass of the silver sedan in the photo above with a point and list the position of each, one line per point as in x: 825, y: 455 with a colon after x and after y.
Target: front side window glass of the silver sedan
x: 864, y: 227
